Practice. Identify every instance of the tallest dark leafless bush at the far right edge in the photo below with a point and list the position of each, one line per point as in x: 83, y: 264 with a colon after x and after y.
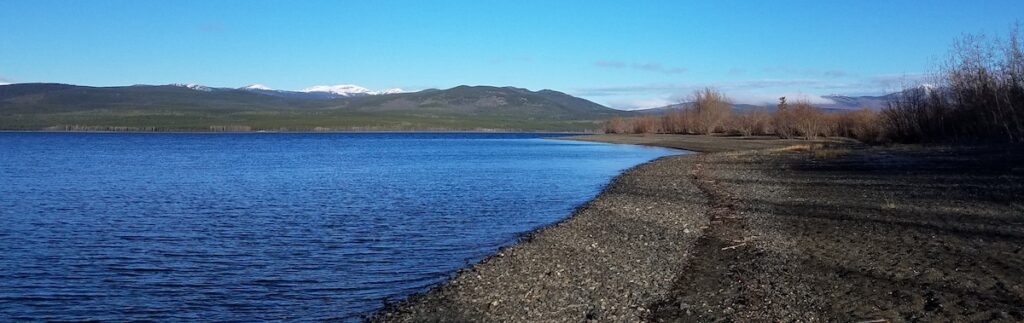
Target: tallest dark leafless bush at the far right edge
x: 979, y: 97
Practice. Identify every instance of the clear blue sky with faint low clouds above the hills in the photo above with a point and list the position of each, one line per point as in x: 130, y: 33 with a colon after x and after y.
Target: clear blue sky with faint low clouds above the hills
x: 625, y: 55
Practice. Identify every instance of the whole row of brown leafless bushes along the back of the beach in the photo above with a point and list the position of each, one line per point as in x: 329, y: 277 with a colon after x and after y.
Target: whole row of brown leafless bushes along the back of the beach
x: 978, y: 96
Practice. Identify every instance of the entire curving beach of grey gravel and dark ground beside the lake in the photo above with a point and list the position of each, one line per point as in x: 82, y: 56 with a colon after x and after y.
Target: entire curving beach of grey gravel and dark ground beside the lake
x: 760, y: 229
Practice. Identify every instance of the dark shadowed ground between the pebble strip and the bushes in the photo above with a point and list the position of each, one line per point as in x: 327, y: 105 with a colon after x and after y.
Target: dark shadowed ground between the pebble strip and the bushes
x: 923, y: 234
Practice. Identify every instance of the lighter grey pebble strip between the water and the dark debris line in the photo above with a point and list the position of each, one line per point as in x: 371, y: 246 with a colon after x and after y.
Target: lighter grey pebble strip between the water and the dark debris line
x: 612, y: 260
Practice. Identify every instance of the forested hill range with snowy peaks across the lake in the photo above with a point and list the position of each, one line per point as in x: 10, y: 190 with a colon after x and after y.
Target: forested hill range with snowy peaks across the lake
x: 185, y: 108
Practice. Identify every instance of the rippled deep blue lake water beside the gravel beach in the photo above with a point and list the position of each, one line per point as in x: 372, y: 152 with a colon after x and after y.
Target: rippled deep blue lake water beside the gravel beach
x: 270, y: 226
